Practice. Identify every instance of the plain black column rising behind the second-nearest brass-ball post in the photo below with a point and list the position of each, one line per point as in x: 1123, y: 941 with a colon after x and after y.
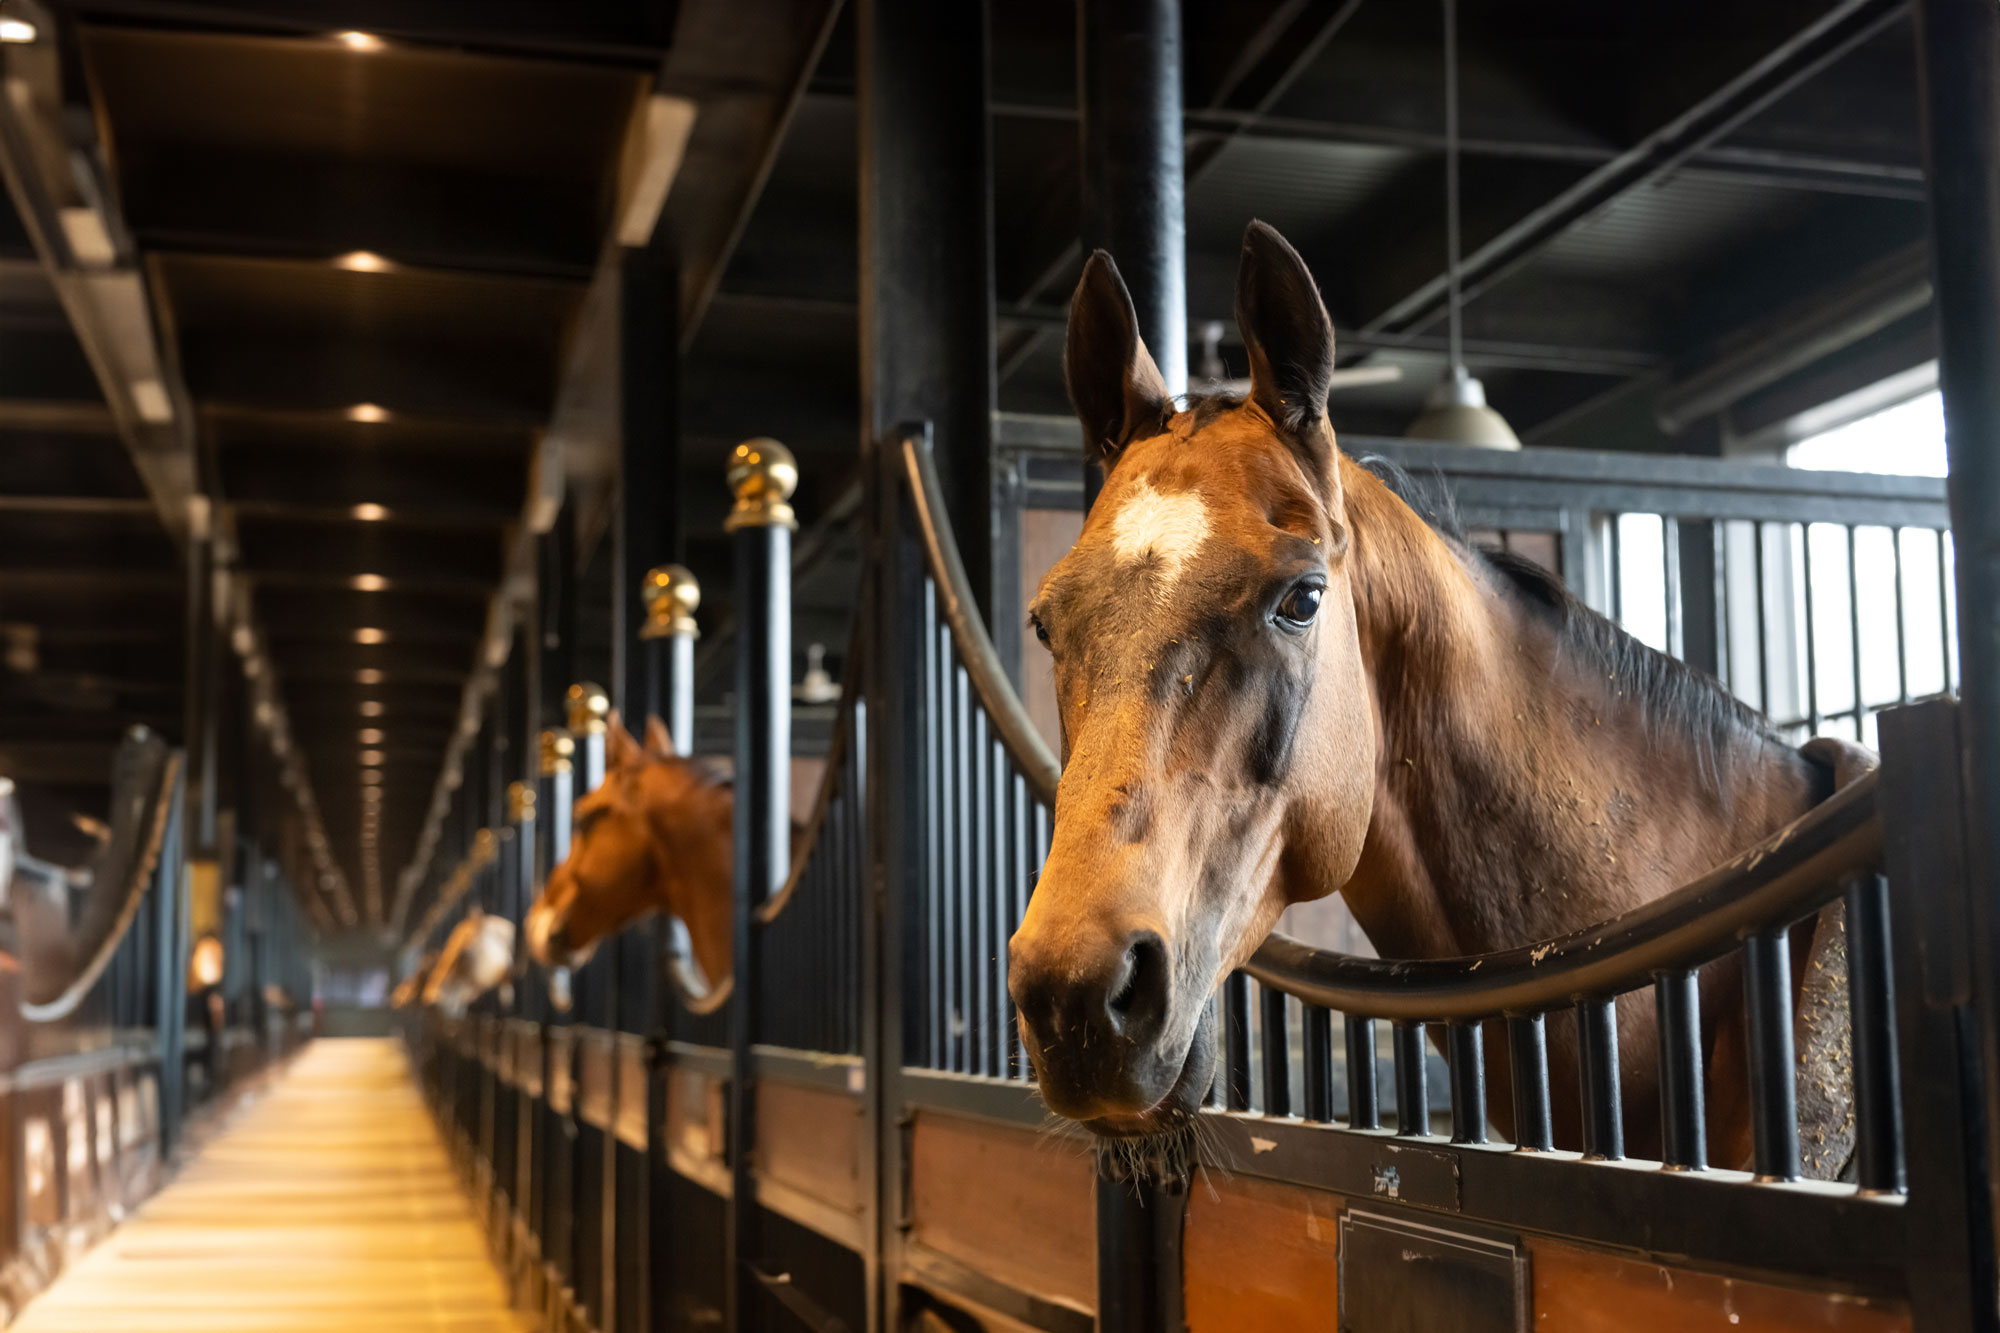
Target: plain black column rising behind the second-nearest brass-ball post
x: 649, y: 457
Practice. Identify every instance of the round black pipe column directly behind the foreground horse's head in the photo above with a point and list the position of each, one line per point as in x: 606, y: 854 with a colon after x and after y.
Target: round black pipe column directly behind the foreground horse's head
x: 1129, y: 103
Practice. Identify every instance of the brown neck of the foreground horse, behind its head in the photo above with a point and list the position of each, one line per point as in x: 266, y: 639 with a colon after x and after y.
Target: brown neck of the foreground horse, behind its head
x: 1519, y: 792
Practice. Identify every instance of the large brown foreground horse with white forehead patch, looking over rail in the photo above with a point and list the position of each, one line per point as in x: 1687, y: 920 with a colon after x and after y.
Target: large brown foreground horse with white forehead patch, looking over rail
x: 1277, y: 682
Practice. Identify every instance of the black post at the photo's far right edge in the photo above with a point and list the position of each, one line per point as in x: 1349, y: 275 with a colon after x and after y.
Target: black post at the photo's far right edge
x: 1959, y: 57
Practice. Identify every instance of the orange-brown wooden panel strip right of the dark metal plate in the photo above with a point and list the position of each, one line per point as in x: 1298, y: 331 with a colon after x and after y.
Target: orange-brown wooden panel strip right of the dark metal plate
x: 1591, y: 1292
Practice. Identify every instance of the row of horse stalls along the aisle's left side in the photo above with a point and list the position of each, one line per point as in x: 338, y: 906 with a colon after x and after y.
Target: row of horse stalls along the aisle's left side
x: 103, y: 1078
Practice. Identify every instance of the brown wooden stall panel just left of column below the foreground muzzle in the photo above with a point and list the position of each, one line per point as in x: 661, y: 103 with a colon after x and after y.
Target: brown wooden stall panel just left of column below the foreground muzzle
x: 1009, y: 1204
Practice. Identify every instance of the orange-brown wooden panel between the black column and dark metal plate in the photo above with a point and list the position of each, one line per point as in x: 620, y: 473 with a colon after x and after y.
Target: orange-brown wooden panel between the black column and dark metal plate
x: 1261, y: 1258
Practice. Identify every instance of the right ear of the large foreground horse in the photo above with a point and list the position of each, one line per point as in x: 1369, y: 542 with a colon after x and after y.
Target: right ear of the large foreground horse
x: 1289, y: 337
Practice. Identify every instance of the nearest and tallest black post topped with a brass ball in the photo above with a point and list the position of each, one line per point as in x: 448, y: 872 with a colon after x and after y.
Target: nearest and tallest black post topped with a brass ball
x: 763, y: 477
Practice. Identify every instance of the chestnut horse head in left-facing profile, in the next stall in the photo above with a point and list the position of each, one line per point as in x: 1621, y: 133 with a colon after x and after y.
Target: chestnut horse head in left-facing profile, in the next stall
x: 653, y: 838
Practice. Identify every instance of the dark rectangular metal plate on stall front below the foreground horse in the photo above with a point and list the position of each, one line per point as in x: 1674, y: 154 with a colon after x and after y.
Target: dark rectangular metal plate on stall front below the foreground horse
x: 1403, y: 1276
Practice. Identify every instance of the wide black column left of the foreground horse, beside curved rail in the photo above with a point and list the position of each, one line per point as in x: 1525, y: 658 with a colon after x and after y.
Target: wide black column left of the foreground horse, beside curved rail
x: 927, y: 339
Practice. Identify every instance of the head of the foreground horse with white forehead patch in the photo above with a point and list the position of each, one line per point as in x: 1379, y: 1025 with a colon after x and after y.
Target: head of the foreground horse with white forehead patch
x: 1211, y: 688
